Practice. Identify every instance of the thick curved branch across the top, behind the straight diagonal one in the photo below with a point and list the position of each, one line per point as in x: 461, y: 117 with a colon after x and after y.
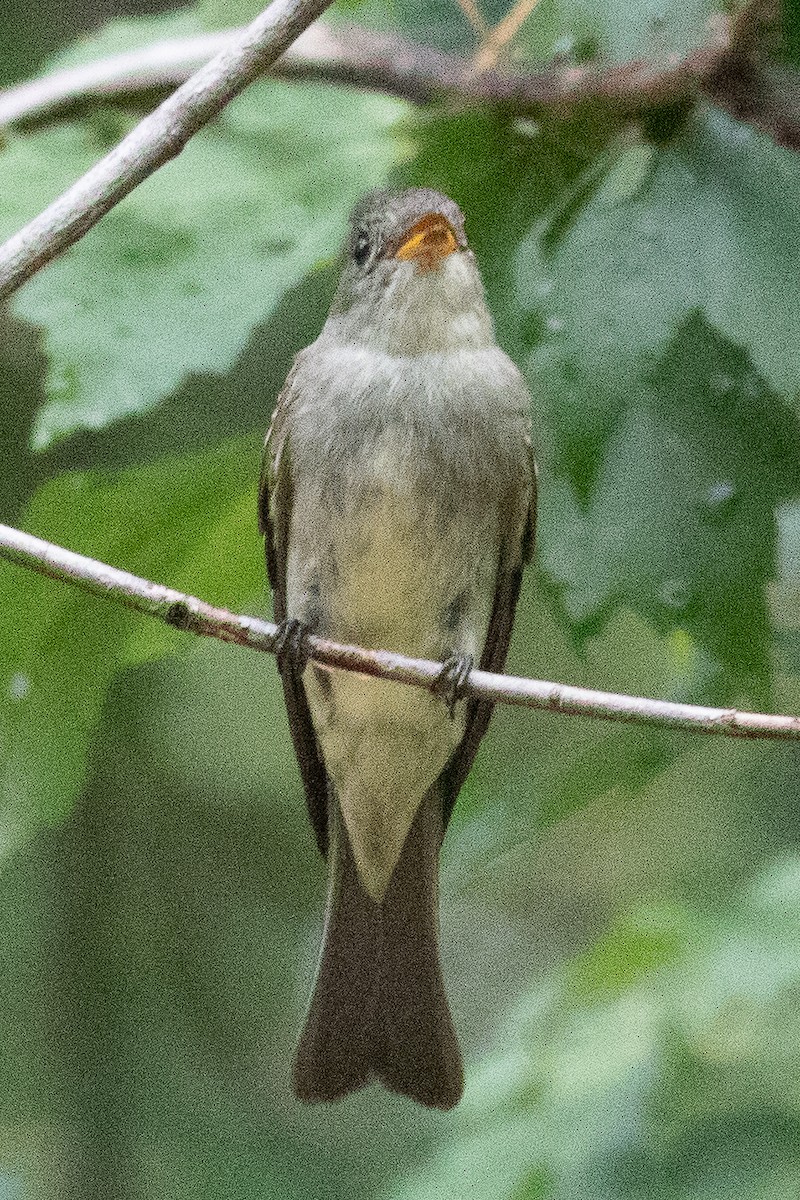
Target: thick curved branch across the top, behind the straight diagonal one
x: 729, y: 70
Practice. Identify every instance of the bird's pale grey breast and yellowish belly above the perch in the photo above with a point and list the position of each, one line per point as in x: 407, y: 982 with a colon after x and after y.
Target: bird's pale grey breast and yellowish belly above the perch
x: 401, y: 475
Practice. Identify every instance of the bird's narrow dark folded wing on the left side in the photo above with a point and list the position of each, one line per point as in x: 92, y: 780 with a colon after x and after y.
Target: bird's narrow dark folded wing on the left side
x: 275, y: 500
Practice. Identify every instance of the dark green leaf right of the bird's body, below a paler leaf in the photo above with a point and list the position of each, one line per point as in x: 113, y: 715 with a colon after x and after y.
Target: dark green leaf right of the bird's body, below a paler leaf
x: 679, y: 523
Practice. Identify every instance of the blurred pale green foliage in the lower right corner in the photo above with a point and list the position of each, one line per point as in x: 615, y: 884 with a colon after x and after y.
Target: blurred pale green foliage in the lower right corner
x: 660, y: 1065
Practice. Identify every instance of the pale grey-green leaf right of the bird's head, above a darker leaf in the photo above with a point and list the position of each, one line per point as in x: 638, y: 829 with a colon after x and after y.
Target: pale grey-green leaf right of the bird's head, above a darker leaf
x: 712, y: 226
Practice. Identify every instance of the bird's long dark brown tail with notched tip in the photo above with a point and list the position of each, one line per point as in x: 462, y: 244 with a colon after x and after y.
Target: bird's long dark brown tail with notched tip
x: 380, y: 1009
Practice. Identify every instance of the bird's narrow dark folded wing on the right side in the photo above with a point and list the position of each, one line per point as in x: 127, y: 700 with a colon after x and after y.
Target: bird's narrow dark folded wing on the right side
x: 496, y: 650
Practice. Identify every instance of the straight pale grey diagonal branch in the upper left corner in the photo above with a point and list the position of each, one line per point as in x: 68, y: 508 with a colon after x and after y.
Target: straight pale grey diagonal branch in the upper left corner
x: 155, y: 141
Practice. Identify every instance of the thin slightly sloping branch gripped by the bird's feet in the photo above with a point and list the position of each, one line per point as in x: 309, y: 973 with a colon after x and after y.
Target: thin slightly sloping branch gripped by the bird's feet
x: 196, y: 616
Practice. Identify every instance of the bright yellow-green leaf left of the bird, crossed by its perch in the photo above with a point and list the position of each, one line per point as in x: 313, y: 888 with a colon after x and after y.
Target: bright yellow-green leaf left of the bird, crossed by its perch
x: 189, y: 523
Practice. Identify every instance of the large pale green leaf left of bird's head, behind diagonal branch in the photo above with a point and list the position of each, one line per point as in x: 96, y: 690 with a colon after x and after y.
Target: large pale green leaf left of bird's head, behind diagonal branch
x: 176, y: 278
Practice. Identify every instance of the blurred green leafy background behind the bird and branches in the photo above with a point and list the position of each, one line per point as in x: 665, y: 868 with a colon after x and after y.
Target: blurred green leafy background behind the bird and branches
x: 621, y: 907
